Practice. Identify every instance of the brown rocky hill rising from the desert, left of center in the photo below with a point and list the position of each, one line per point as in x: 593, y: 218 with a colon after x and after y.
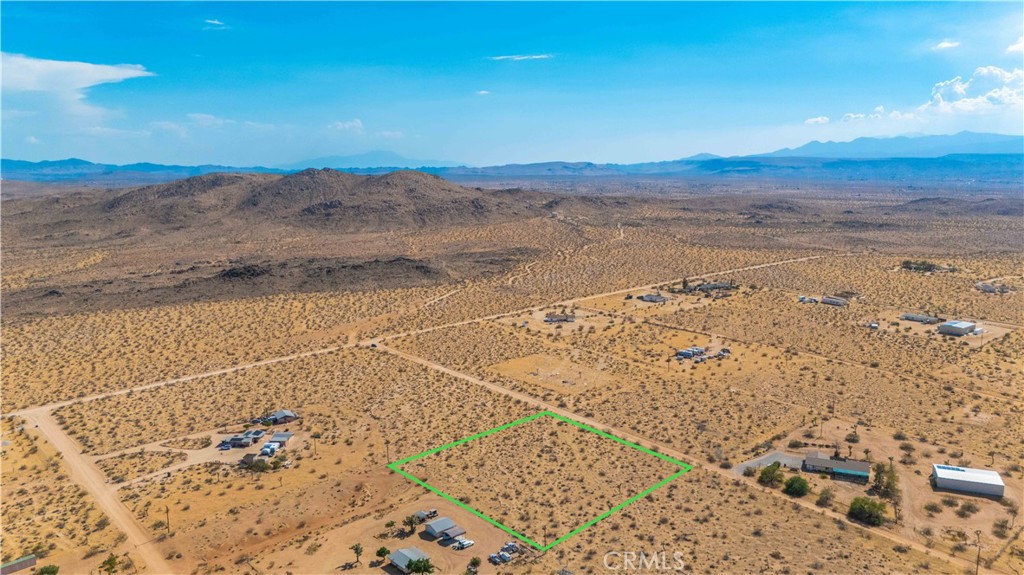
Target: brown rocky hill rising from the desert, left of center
x: 319, y: 198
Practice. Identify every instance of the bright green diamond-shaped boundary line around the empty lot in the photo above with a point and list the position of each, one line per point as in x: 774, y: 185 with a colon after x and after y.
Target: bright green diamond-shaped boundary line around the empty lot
x: 685, y: 468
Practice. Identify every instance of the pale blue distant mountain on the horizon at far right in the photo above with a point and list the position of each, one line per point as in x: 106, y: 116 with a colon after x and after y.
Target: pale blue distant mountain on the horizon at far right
x: 908, y: 147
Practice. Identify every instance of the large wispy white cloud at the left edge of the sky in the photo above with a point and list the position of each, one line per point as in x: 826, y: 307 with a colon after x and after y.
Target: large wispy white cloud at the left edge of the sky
x: 67, y: 81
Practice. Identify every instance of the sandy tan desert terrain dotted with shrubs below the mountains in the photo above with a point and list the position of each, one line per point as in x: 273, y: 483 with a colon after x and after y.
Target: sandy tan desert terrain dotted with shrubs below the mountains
x: 398, y: 314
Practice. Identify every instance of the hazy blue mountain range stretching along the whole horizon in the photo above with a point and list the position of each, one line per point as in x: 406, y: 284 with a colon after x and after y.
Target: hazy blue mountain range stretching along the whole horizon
x: 966, y: 157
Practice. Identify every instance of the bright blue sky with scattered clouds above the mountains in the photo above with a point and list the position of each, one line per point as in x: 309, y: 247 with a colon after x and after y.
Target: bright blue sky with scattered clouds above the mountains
x: 493, y: 83
